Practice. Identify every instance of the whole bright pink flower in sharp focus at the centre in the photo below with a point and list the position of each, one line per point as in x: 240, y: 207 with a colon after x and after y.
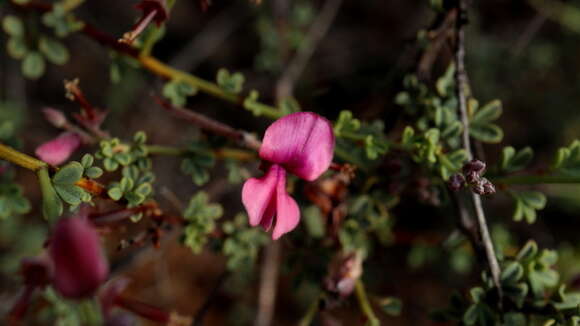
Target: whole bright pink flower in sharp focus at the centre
x: 300, y: 143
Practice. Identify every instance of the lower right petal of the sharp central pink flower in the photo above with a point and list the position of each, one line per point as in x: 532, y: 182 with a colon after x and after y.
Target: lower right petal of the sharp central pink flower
x: 287, y: 211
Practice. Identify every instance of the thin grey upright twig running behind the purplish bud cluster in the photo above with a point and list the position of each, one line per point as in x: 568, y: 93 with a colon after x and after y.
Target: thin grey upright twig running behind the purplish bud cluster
x: 462, y: 89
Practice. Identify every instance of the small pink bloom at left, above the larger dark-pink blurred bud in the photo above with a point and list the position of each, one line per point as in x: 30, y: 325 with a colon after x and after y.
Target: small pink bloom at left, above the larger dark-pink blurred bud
x: 58, y: 150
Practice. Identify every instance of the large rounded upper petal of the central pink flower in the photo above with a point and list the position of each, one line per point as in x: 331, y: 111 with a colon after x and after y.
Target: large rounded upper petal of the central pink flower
x: 302, y: 142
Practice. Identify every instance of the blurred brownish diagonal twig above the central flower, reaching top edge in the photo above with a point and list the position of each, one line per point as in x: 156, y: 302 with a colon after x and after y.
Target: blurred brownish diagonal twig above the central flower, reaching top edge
x: 316, y: 32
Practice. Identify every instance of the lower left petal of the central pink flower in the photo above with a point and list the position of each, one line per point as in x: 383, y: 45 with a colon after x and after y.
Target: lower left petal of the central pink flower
x: 258, y: 197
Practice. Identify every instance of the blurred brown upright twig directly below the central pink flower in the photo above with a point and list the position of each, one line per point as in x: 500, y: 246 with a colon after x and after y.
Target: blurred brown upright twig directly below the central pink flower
x: 268, y: 284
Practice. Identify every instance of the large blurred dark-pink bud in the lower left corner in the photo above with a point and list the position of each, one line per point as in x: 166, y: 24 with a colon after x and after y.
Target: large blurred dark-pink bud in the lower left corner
x: 79, y: 264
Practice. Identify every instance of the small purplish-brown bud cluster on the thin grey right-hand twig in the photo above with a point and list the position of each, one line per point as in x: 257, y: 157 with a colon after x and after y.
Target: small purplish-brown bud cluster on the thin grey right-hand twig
x: 471, y: 176
